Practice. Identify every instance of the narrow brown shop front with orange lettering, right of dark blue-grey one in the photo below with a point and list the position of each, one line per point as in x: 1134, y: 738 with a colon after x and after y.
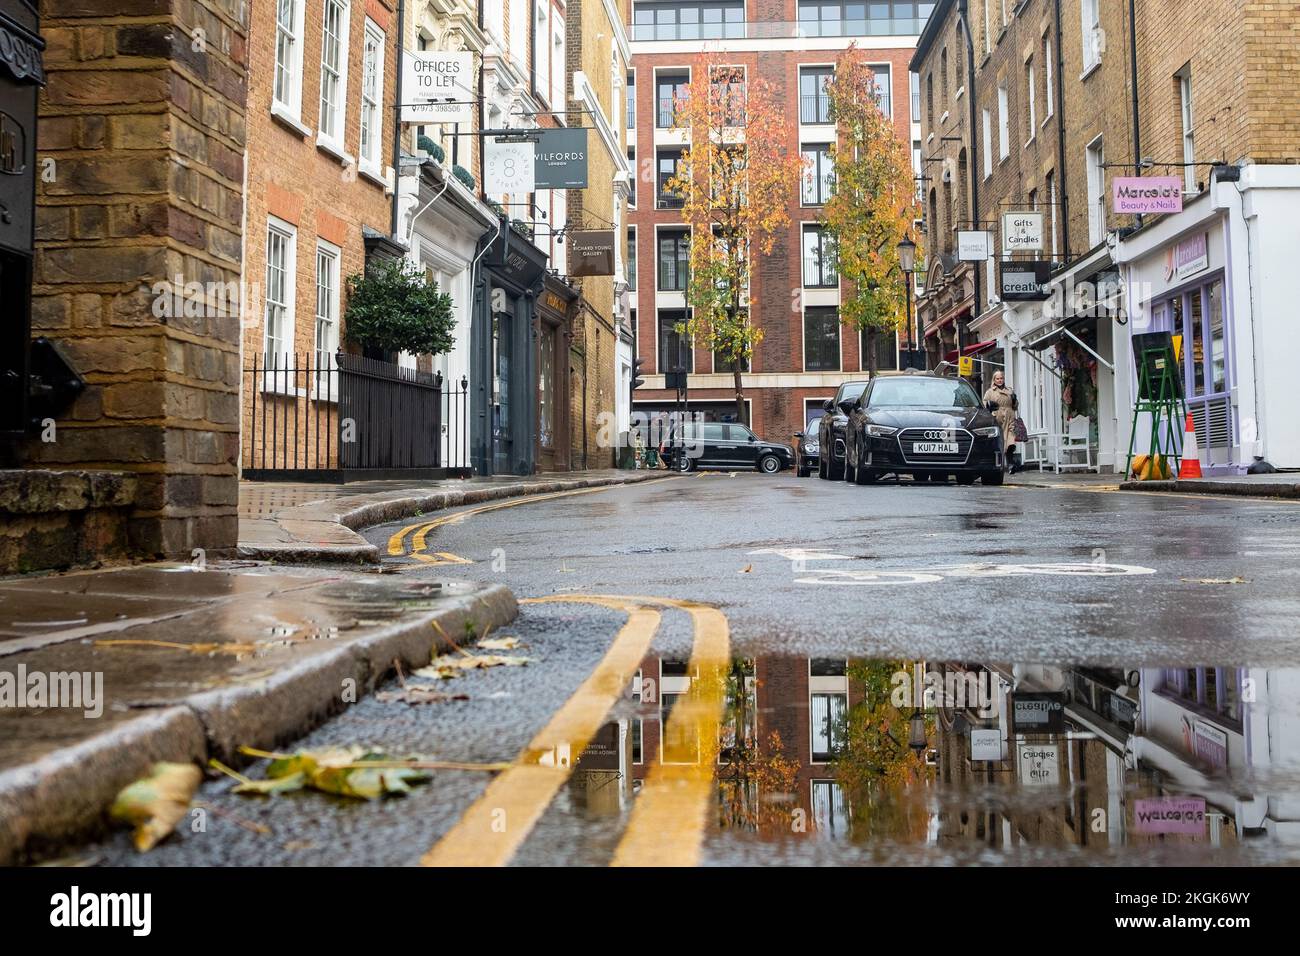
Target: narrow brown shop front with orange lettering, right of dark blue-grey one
x: 554, y: 432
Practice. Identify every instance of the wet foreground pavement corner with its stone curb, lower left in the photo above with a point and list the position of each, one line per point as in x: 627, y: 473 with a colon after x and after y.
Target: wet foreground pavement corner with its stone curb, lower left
x: 171, y: 663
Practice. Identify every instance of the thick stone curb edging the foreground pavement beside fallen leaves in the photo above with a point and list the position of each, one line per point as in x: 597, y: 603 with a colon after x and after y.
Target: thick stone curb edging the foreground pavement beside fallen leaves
x: 64, y: 795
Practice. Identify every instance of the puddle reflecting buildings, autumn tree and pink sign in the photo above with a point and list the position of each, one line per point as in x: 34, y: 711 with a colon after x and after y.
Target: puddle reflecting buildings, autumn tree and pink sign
x: 933, y: 763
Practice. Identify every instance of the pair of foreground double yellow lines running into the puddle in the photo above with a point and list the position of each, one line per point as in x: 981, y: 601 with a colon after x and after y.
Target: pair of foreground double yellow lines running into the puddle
x: 670, y: 815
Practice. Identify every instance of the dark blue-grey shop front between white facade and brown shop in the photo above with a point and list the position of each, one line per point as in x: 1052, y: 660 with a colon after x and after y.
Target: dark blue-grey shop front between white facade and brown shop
x: 504, y: 344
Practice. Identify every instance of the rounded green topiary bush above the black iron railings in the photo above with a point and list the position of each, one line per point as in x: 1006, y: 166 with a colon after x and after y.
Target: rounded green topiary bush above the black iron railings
x: 393, y: 308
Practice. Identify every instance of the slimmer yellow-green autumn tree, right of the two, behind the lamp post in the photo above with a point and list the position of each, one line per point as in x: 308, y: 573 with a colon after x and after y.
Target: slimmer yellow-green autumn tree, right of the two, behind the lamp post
x: 873, y: 204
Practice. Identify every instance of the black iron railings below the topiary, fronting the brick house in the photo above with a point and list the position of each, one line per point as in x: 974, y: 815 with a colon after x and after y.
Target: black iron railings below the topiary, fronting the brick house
x: 326, y: 417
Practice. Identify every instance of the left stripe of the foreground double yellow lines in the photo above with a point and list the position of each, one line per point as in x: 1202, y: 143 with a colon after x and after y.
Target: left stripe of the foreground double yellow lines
x: 500, y: 821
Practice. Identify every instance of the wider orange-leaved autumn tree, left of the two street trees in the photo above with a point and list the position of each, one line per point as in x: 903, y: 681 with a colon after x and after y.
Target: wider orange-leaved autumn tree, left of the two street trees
x: 735, y: 183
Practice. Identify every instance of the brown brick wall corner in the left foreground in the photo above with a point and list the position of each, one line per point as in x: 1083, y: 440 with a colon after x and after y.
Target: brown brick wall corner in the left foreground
x: 141, y: 144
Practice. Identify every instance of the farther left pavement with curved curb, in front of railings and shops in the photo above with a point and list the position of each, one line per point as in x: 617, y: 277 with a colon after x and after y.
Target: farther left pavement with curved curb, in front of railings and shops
x: 307, y: 522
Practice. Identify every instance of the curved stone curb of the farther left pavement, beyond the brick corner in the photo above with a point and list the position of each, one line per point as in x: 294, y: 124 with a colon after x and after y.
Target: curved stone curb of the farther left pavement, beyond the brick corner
x: 313, y: 526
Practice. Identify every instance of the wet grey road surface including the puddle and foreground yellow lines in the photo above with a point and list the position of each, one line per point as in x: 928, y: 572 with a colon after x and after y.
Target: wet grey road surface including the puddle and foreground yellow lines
x: 1102, y: 678
